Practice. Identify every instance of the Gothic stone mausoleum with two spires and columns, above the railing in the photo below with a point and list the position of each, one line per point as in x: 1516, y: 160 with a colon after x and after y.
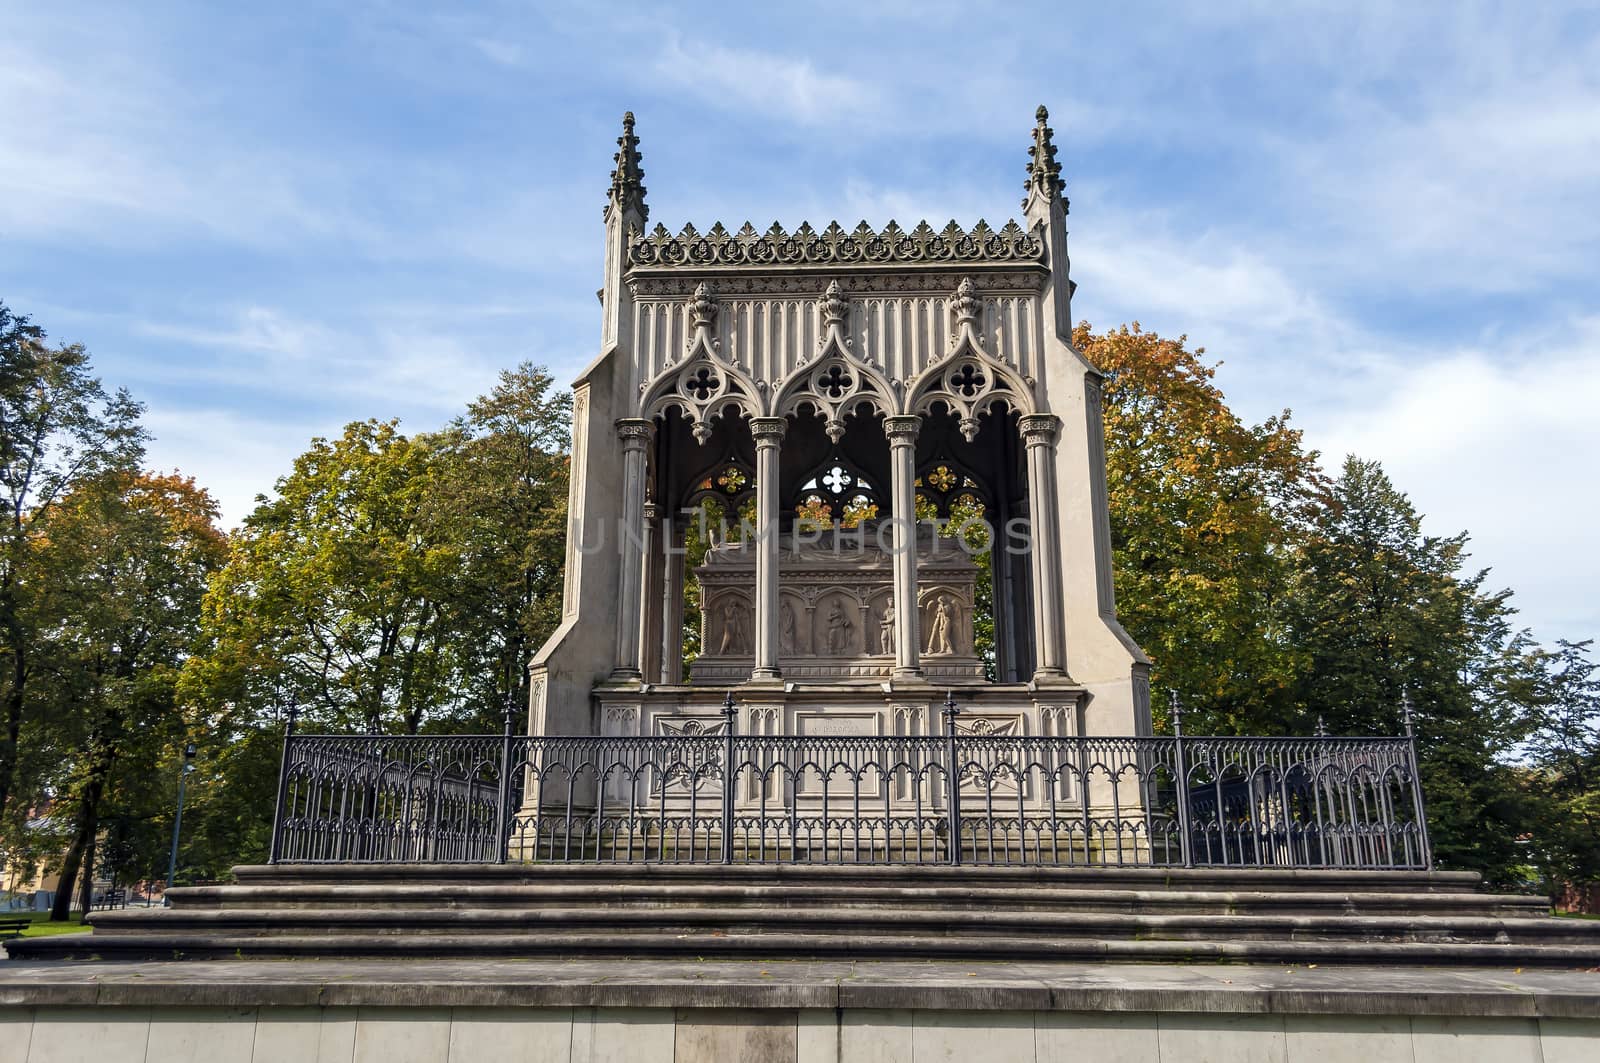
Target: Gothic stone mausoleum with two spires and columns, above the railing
x: 870, y: 457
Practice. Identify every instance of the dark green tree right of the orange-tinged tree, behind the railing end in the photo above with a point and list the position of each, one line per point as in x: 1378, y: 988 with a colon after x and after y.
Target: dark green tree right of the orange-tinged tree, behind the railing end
x: 1386, y: 612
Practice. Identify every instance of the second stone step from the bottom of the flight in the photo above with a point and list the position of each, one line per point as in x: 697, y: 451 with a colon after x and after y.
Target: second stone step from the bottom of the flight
x: 844, y: 923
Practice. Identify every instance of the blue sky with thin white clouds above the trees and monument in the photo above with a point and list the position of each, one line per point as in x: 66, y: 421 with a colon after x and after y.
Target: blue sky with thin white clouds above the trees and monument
x: 273, y: 222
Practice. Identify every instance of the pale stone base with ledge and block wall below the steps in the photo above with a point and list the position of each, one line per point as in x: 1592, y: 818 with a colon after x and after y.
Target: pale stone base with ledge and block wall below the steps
x: 716, y: 1013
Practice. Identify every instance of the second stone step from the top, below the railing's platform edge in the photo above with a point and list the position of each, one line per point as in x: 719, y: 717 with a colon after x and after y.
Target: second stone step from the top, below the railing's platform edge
x: 999, y: 897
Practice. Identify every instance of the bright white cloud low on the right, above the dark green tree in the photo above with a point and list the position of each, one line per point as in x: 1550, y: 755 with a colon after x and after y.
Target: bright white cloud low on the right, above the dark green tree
x: 1500, y: 444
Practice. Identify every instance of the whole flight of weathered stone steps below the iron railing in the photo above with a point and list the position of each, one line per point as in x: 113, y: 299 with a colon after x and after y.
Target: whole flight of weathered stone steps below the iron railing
x: 842, y: 912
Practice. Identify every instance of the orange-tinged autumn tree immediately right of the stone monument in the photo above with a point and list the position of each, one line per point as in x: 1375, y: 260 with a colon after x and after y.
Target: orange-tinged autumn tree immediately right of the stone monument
x: 1206, y: 515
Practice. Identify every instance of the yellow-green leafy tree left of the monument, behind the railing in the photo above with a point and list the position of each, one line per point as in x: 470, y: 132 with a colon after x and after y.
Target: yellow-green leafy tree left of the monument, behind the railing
x: 337, y: 592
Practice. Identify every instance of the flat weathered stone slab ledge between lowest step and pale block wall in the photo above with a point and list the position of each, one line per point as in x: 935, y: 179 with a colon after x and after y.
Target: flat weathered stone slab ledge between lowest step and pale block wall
x: 847, y: 985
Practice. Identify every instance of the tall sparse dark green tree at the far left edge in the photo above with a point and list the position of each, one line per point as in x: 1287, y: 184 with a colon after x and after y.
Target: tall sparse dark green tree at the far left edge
x: 58, y: 428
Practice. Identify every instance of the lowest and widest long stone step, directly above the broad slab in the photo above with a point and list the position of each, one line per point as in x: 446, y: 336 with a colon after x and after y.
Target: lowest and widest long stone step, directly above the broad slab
x: 799, y: 945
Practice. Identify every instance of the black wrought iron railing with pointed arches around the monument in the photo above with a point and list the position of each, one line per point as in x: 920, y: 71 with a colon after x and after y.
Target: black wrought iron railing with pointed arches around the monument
x: 953, y: 798
